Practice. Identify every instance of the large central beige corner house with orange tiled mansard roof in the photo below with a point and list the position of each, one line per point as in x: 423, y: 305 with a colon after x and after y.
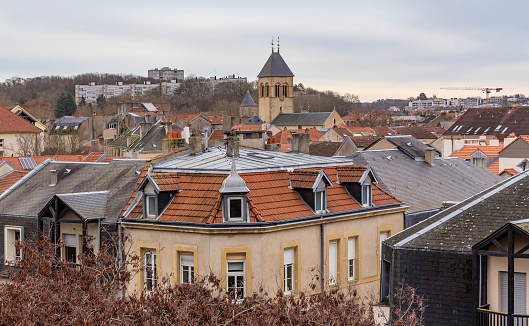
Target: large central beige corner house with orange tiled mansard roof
x: 258, y: 218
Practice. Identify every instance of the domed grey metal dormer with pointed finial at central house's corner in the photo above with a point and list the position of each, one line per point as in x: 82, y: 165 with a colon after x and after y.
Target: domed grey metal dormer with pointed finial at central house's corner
x: 234, y: 201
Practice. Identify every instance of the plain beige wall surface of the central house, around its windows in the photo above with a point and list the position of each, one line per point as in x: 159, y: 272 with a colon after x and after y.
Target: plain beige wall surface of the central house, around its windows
x: 266, y: 249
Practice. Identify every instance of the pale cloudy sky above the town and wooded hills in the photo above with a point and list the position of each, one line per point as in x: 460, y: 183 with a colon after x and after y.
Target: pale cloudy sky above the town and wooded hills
x: 374, y: 49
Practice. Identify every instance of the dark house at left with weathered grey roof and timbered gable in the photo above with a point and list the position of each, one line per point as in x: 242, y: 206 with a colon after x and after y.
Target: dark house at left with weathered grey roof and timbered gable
x: 83, y: 201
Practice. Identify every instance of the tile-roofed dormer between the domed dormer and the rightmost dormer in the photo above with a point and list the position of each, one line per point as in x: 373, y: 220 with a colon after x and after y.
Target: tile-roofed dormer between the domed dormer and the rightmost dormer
x: 311, y: 186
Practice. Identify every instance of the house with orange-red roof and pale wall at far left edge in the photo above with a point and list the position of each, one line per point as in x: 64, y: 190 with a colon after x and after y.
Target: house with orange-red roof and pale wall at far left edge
x: 17, y: 135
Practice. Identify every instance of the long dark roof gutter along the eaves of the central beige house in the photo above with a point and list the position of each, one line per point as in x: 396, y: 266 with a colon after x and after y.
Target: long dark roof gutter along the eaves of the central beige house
x: 259, y: 225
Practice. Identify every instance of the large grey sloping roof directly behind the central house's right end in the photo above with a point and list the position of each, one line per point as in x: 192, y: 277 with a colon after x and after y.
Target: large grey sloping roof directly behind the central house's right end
x: 421, y: 186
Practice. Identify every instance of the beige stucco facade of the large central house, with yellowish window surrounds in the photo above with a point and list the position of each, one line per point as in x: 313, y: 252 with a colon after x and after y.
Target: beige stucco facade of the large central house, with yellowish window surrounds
x: 263, y: 249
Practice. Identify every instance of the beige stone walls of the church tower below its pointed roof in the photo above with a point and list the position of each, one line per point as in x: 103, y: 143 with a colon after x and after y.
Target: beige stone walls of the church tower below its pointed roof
x: 271, y: 103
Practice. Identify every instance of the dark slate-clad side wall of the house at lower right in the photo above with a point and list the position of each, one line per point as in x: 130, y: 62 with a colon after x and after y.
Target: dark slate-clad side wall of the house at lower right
x: 443, y: 278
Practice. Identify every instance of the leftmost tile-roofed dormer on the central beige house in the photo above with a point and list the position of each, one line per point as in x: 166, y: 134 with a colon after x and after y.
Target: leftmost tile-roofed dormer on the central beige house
x: 157, y: 193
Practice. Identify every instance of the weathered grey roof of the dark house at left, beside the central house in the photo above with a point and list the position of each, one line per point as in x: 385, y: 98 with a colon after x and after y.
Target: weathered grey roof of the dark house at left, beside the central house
x: 29, y: 195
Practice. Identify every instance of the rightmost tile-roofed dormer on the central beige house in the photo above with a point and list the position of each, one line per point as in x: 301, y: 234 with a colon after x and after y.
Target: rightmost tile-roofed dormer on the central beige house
x: 357, y: 180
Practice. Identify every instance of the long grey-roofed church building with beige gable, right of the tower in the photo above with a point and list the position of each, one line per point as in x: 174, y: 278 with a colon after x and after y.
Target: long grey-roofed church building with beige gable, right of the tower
x: 309, y: 120
